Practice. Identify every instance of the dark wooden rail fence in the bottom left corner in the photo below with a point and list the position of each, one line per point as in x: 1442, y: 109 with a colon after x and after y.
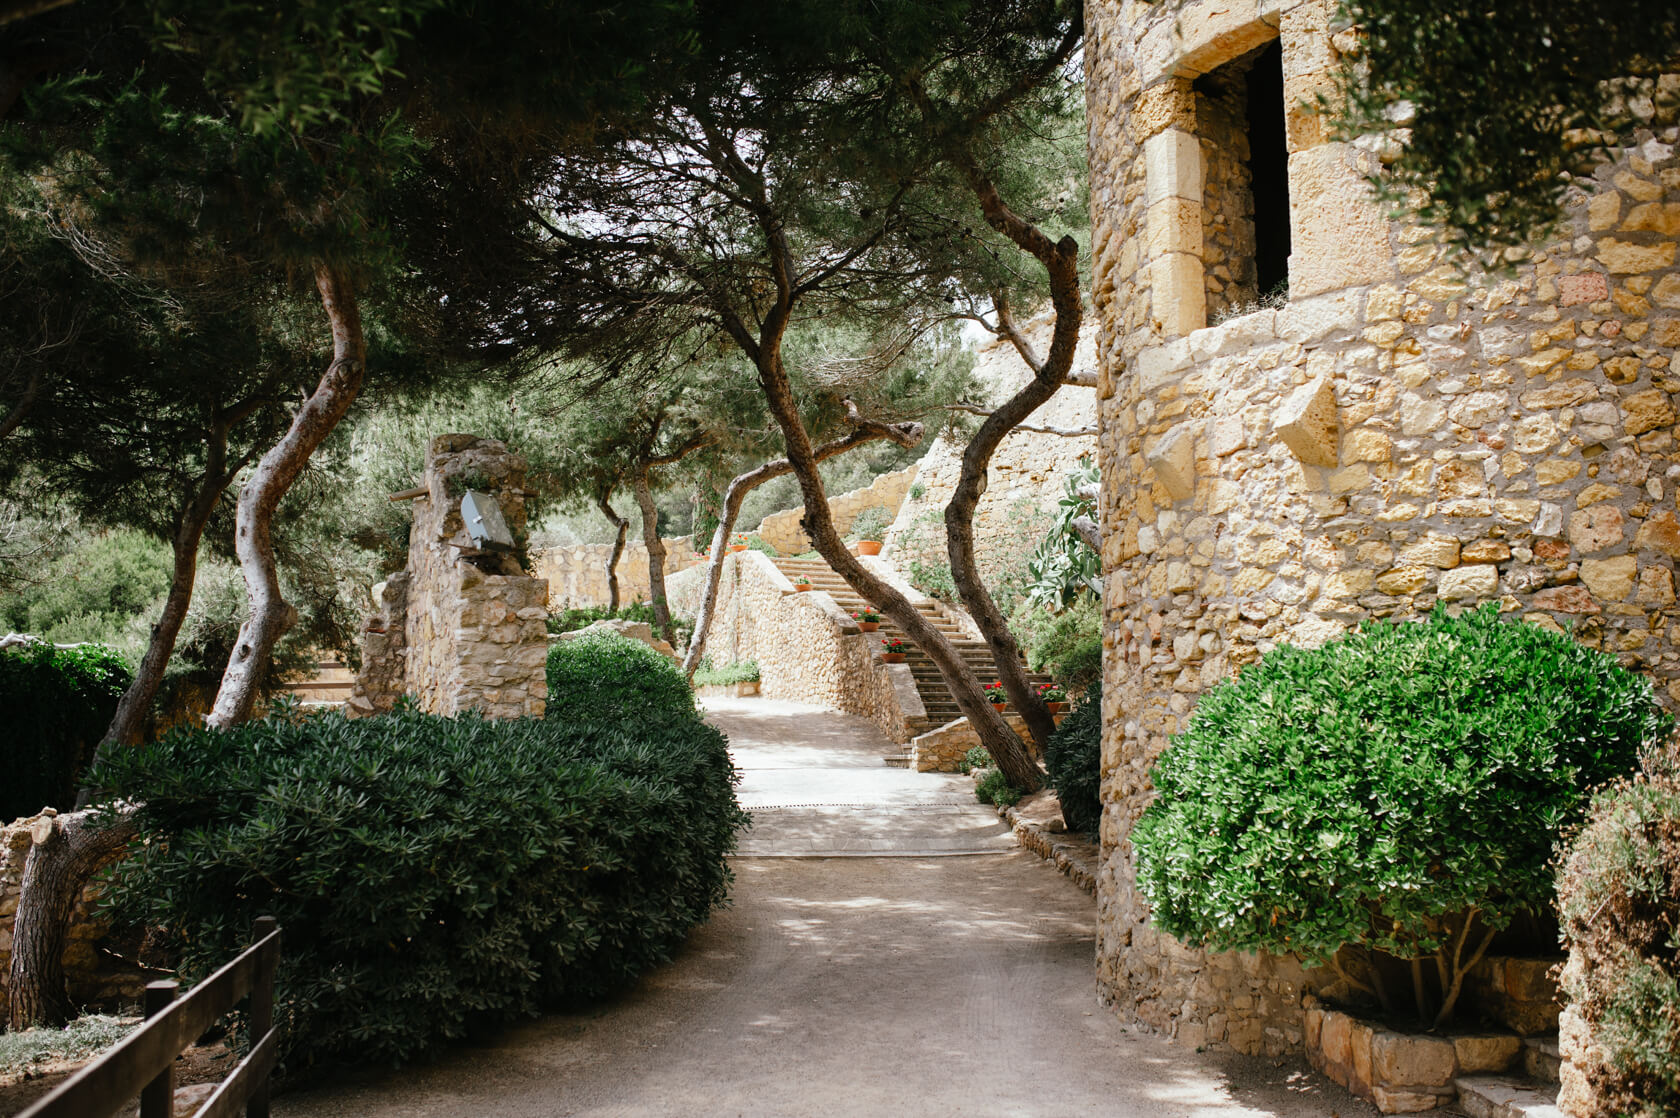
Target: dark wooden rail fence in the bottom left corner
x: 145, y: 1060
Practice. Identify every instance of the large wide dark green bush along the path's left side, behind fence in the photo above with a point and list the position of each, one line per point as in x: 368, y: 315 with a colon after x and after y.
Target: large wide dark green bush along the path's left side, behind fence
x: 433, y: 875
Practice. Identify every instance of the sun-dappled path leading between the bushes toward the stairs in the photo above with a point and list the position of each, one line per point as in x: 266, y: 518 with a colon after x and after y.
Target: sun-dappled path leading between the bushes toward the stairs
x: 848, y: 988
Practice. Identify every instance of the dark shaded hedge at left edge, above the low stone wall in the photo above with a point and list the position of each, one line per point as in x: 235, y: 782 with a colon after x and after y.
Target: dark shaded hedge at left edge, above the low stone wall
x: 58, y: 705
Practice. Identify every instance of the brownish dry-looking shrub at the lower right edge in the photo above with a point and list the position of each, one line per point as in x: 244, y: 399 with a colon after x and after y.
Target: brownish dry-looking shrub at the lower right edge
x: 1619, y: 894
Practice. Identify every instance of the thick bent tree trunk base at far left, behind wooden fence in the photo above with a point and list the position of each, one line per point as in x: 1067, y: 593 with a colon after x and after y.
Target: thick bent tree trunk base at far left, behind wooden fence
x: 61, y: 860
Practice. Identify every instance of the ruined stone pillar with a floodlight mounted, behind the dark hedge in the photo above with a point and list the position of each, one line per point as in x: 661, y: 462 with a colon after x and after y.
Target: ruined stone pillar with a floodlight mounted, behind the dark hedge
x: 476, y: 631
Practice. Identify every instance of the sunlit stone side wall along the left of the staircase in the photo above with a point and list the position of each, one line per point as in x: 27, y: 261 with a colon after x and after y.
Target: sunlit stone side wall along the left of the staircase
x: 807, y: 648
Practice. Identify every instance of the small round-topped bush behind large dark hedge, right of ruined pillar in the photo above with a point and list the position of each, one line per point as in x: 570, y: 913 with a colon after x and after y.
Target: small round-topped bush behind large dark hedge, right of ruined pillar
x: 606, y: 677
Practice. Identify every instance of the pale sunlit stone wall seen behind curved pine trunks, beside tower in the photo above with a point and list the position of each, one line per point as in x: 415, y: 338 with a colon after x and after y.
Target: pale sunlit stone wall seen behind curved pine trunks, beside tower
x: 1027, y: 470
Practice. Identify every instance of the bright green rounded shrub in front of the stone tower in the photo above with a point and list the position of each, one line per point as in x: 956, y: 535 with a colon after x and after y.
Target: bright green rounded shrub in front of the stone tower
x: 1387, y: 791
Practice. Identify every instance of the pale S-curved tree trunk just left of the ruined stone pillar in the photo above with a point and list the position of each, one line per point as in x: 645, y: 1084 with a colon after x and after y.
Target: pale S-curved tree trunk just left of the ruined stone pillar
x: 271, y: 614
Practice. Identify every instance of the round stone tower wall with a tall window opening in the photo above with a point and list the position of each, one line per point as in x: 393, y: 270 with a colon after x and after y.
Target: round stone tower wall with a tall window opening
x: 1395, y: 436
